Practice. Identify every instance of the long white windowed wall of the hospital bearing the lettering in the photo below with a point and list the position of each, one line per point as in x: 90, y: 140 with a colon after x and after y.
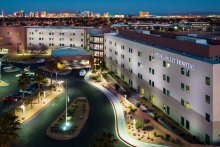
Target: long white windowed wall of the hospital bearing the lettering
x: 196, y: 115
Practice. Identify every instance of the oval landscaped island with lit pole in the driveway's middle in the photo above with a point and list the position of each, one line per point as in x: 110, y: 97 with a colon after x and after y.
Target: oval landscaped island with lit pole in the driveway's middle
x: 69, y: 125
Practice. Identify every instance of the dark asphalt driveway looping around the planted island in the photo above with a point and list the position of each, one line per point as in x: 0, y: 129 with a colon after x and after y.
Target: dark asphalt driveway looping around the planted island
x: 33, y: 133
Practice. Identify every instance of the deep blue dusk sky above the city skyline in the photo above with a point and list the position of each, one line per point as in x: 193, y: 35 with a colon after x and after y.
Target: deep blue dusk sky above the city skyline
x: 114, y: 6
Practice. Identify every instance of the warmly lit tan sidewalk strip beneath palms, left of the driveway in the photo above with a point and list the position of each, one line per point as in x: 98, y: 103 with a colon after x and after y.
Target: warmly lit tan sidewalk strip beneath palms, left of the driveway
x: 30, y: 112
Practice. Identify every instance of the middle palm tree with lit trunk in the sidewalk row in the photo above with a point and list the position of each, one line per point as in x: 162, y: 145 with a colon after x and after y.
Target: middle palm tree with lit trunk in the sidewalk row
x: 39, y: 78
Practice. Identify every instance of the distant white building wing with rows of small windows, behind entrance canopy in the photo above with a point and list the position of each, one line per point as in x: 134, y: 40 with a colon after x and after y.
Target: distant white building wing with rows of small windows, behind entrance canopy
x: 57, y: 37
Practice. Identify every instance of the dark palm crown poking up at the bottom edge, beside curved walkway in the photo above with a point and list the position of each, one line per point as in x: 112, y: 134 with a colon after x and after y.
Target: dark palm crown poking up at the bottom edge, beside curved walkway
x: 105, y: 139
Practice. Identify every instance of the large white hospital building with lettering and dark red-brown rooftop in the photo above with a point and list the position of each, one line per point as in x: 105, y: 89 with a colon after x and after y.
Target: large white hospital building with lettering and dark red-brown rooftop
x: 179, y: 75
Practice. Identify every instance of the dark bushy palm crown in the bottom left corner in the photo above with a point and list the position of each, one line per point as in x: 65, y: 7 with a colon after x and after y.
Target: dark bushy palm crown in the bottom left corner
x: 9, y: 125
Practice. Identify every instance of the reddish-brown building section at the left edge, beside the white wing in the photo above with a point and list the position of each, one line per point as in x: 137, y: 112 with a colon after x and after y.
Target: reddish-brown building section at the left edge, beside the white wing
x: 13, y: 39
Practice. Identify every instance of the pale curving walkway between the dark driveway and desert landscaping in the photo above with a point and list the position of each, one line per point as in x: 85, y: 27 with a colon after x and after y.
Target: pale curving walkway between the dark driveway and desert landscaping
x: 119, y: 116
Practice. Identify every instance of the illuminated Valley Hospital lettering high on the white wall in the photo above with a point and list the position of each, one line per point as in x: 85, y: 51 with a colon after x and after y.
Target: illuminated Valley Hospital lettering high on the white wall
x: 175, y: 60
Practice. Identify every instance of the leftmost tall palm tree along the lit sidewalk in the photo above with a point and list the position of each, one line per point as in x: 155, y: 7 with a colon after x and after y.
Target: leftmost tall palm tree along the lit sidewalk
x: 23, y: 81
